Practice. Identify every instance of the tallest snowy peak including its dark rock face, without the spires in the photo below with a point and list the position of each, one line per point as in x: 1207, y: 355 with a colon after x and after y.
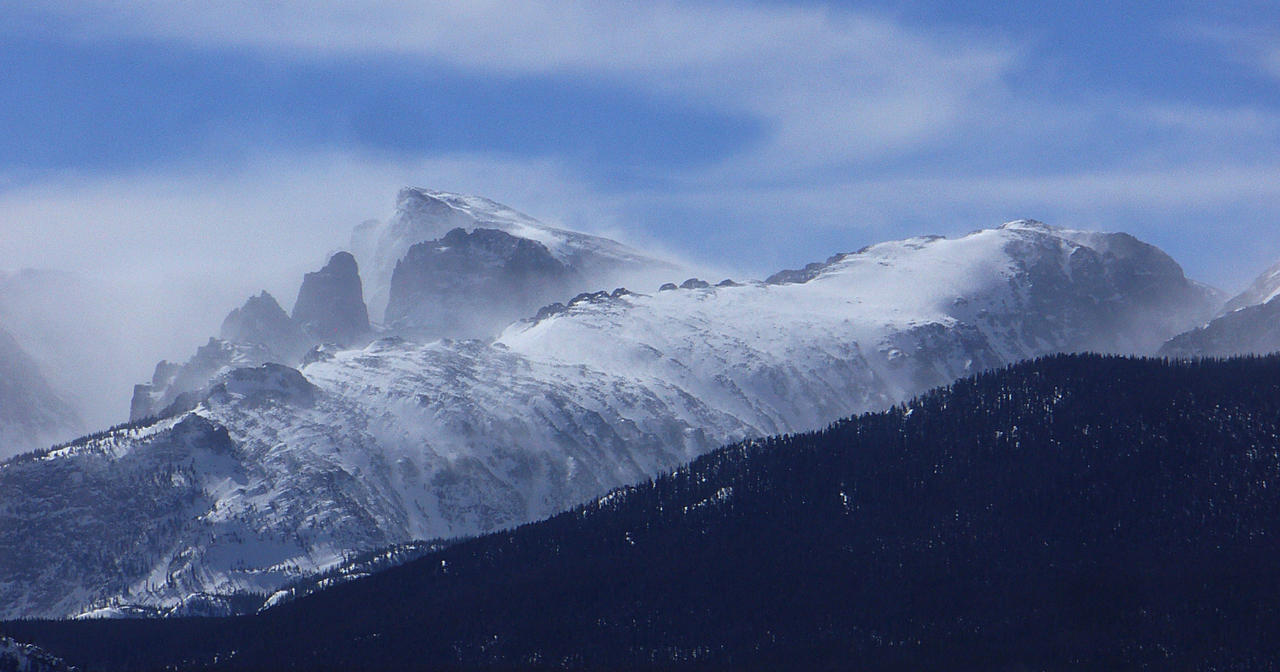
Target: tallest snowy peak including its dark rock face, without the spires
x: 437, y: 290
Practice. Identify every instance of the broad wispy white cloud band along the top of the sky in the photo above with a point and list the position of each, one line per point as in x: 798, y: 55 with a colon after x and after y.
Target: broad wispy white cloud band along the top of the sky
x: 833, y: 86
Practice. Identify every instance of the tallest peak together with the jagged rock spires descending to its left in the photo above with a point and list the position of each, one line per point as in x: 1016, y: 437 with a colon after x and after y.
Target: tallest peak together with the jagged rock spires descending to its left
x: 490, y: 267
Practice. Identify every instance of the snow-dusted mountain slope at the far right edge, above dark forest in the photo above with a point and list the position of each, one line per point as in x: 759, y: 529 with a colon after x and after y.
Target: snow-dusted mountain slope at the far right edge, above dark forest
x: 1250, y: 324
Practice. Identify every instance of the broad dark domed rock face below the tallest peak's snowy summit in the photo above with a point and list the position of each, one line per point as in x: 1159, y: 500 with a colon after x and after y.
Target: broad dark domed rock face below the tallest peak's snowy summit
x: 473, y: 285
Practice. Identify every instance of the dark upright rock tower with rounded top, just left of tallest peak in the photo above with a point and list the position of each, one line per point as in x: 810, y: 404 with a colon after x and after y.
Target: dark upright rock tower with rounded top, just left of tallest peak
x: 331, y: 305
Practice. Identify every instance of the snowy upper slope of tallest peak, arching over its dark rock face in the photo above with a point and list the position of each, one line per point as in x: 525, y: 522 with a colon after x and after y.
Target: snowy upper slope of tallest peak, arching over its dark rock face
x: 424, y: 216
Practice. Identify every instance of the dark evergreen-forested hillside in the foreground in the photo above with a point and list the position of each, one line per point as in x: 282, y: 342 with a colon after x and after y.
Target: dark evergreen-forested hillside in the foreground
x: 1076, y: 513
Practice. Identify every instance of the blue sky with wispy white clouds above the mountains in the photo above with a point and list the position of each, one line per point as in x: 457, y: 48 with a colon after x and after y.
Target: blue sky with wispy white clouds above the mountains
x: 235, y: 140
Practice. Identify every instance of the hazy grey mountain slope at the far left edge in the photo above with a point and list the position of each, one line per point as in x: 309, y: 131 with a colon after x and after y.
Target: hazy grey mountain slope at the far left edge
x: 33, y: 415
